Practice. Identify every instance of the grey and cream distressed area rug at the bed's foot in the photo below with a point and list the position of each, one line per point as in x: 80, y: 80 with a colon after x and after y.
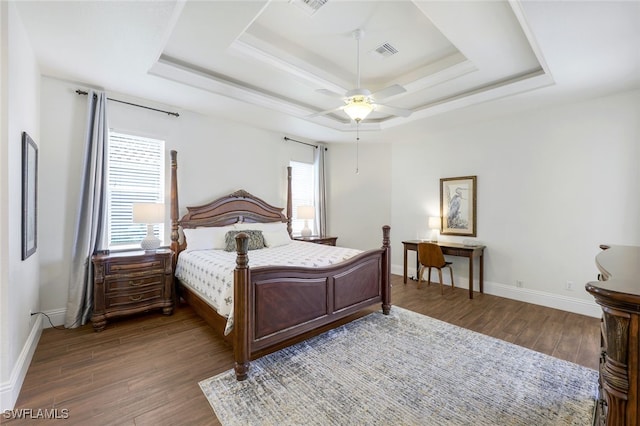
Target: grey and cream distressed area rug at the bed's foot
x: 405, y: 369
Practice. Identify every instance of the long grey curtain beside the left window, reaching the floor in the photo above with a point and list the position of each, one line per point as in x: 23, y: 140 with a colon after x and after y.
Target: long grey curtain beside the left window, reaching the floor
x: 89, y: 220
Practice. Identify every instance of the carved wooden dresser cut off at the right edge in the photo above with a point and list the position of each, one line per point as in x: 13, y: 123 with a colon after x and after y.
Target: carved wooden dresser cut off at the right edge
x: 618, y: 293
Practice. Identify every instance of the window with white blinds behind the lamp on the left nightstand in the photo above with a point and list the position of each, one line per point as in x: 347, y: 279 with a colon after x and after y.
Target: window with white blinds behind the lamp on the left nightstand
x: 135, y: 174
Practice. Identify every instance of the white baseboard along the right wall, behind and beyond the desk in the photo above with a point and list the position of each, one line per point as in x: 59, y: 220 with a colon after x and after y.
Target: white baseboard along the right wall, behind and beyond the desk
x: 550, y: 300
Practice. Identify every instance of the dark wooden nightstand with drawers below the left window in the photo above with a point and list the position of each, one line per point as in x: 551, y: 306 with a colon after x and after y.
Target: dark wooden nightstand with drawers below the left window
x: 126, y: 283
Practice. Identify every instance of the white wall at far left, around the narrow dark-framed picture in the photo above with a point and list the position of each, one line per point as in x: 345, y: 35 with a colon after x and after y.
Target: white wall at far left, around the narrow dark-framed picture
x: 19, y: 332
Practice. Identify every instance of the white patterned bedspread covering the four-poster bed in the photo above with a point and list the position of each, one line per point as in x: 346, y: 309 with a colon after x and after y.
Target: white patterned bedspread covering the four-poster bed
x: 209, y: 273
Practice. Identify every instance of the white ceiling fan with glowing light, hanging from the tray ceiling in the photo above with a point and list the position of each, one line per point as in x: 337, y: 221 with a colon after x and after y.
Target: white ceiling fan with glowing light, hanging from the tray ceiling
x: 359, y: 102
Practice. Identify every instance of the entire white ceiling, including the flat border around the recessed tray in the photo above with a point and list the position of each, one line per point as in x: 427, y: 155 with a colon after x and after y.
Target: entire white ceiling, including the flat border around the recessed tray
x: 263, y: 62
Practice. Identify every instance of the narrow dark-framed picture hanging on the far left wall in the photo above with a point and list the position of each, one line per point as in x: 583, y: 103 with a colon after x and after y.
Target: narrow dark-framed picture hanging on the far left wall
x: 29, y: 196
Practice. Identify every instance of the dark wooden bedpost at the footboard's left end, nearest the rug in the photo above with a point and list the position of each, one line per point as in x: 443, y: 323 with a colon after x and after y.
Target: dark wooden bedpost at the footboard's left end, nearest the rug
x: 241, y: 323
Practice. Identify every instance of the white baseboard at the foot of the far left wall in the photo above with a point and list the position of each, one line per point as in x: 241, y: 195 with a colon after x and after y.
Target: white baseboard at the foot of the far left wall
x: 10, y: 390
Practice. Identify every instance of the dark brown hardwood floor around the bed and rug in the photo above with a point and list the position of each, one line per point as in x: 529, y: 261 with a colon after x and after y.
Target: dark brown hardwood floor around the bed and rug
x: 145, y: 370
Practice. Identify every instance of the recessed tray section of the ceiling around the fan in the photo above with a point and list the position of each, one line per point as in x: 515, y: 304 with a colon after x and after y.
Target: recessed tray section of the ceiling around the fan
x: 276, y: 55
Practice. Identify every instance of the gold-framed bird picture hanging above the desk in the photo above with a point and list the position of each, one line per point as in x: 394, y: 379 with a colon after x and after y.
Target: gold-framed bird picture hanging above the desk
x: 458, y: 206
